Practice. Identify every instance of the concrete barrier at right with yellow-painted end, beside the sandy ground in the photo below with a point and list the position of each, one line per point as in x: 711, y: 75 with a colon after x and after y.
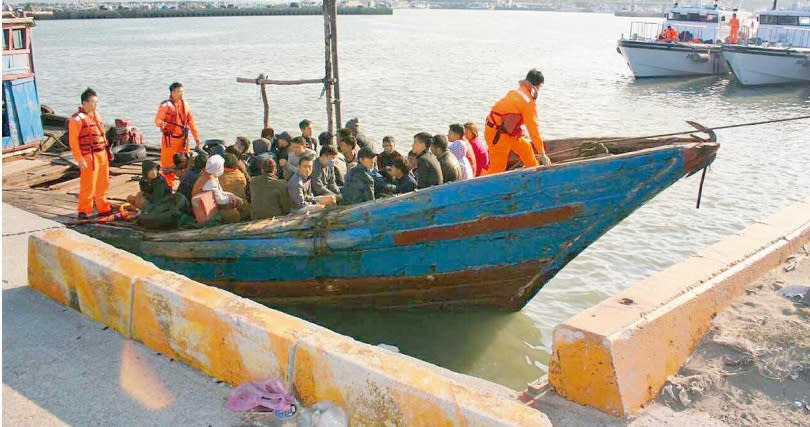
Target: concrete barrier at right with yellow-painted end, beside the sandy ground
x: 617, y: 355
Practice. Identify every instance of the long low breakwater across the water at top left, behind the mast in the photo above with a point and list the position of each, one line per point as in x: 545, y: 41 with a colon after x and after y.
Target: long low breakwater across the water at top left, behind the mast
x: 188, y: 13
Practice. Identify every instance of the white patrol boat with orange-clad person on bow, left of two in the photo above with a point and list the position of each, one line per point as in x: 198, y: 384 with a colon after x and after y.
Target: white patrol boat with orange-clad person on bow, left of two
x: 701, y: 31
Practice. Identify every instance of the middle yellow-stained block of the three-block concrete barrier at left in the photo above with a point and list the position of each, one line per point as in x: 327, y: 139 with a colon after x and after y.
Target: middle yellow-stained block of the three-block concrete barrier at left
x: 226, y: 336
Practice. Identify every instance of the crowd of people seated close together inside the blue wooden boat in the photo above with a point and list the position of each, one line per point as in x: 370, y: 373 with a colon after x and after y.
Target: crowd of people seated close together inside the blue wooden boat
x: 278, y: 174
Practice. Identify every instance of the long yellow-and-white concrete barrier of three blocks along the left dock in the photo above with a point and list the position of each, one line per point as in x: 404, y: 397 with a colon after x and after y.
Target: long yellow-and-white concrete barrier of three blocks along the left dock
x: 237, y: 340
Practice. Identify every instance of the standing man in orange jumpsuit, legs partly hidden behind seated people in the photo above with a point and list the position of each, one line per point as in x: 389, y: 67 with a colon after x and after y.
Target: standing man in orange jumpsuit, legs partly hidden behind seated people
x: 175, y: 120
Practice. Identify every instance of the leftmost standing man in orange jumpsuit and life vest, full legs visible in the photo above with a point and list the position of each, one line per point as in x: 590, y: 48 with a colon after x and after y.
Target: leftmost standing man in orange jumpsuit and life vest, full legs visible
x: 90, y: 150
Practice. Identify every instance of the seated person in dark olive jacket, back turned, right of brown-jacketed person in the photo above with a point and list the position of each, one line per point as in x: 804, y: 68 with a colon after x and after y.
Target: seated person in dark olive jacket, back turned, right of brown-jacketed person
x: 269, y: 195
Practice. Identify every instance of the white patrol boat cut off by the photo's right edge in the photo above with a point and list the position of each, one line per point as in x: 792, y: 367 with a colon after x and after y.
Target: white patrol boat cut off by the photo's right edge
x: 780, y: 53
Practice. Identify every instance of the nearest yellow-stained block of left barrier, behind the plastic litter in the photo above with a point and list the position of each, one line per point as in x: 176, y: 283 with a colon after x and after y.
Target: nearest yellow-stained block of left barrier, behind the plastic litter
x: 378, y: 387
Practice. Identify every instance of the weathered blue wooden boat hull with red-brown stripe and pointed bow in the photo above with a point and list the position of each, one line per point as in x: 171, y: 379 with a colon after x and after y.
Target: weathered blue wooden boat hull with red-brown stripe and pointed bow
x: 488, y: 242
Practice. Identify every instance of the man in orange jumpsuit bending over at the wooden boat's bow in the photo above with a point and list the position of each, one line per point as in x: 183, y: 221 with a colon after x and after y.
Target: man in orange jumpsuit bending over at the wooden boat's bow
x: 503, y: 131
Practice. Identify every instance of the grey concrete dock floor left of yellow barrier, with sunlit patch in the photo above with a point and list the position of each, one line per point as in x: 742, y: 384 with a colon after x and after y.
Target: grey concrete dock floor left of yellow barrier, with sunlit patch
x: 61, y: 368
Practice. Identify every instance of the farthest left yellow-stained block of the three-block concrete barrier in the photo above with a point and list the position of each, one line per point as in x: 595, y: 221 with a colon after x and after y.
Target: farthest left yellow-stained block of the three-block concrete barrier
x: 88, y: 275
